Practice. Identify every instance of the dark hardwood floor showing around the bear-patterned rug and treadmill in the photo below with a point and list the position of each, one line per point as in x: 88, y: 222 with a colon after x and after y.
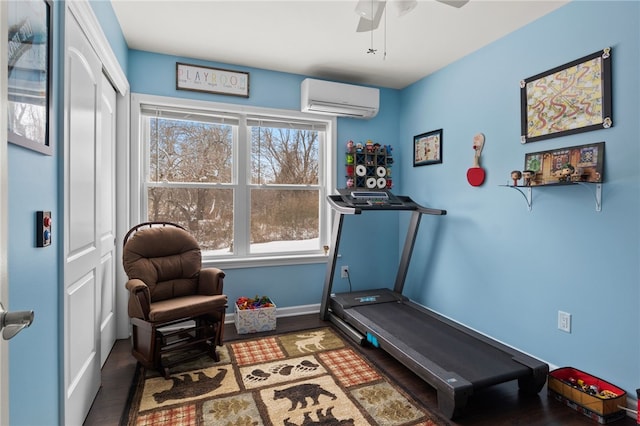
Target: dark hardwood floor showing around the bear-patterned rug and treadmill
x: 495, y: 406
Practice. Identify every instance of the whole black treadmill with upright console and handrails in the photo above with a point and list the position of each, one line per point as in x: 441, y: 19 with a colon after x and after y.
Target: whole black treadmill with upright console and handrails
x: 453, y: 359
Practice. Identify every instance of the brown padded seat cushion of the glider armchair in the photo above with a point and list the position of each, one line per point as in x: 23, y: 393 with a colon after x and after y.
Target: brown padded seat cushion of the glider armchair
x: 184, y: 307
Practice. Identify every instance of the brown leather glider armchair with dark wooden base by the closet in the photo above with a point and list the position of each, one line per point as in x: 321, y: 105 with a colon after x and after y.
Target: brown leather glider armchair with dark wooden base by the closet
x: 174, y: 305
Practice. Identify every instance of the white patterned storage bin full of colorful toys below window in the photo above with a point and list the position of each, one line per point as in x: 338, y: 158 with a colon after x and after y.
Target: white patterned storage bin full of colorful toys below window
x: 254, y: 315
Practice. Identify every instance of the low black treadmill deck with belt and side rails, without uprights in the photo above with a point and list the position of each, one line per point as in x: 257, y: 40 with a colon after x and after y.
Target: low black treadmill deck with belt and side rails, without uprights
x: 454, y: 359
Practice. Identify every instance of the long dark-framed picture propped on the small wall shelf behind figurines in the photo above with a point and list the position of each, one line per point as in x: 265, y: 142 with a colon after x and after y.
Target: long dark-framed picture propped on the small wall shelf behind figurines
x: 583, y: 163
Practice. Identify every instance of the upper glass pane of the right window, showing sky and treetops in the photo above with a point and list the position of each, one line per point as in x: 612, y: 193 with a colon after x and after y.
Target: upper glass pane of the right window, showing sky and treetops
x: 284, y: 156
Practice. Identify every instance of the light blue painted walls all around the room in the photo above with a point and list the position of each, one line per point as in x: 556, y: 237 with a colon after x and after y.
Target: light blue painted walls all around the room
x: 490, y: 263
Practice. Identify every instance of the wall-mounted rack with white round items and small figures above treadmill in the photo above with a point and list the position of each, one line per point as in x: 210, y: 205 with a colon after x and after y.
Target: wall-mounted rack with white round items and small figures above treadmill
x: 368, y: 166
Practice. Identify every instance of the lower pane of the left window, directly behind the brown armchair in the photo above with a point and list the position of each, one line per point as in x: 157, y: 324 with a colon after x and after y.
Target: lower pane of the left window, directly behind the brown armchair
x: 206, y: 213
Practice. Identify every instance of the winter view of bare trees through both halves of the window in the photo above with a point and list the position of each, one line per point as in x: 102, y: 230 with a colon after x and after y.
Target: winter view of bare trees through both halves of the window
x: 190, y: 181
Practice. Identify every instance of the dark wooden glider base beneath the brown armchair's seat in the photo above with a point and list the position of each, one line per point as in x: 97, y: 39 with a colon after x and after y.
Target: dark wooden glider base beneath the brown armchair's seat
x: 163, y: 346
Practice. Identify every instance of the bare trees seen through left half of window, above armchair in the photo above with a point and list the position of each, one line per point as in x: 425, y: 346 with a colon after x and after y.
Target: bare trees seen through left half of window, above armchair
x: 185, y: 159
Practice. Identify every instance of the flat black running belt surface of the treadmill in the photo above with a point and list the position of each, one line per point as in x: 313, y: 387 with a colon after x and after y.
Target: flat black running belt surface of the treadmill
x: 451, y: 349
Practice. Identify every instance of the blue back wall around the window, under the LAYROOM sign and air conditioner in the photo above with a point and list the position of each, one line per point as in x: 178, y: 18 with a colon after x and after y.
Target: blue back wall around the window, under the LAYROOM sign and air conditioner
x: 154, y: 74
